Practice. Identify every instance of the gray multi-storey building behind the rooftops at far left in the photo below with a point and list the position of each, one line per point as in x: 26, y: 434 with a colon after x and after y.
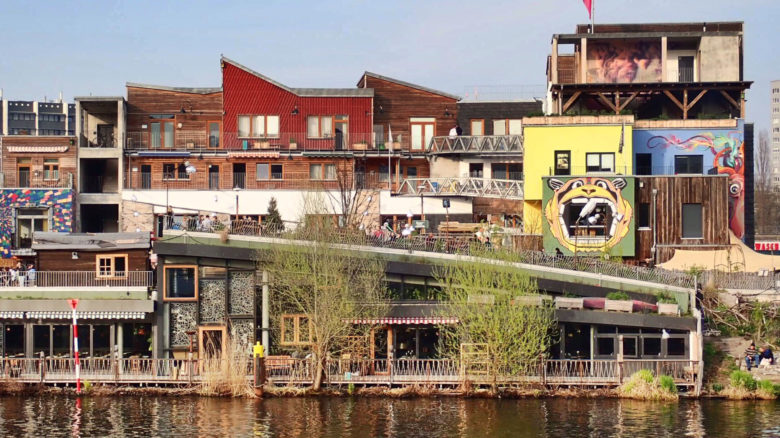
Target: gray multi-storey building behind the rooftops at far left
x: 39, y: 118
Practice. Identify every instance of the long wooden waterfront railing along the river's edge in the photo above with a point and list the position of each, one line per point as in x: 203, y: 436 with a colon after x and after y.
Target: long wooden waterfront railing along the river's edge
x: 298, y: 372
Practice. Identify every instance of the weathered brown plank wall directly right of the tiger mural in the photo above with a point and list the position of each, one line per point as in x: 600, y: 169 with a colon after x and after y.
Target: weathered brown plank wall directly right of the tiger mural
x: 674, y: 191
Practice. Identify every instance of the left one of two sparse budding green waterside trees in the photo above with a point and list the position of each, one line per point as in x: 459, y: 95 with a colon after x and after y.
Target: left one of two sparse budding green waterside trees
x: 317, y: 289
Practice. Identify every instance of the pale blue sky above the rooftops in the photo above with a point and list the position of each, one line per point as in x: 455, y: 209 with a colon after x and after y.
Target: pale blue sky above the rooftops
x: 94, y: 47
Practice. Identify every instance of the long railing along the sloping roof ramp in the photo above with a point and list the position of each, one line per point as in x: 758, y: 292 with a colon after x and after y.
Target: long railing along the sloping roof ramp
x: 450, y: 244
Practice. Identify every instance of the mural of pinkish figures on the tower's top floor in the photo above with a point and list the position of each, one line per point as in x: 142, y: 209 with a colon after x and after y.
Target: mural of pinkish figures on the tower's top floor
x: 624, y: 61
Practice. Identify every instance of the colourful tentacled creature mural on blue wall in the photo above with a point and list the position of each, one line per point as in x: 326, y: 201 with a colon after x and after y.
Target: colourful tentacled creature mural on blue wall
x: 722, y: 152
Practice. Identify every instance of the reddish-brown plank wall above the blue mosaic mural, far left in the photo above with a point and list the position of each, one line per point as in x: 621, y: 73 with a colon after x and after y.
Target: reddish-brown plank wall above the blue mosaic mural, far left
x: 10, y: 160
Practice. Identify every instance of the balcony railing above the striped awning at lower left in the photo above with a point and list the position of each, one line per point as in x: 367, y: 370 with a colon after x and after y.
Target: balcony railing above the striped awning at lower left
x: 74, y: 279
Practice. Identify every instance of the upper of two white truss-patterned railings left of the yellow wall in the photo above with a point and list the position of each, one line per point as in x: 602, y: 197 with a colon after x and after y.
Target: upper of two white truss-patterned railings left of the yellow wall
x: 477, y: 144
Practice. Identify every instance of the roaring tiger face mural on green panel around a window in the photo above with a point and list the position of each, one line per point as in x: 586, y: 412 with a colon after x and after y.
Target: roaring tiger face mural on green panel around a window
x: 589, y: 215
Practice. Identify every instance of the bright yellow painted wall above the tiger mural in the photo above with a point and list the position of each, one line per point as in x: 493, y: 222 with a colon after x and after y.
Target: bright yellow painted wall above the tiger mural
x: 541, y: 142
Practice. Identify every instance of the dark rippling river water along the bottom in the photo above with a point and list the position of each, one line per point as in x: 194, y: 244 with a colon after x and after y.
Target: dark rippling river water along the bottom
x: 143, y: 416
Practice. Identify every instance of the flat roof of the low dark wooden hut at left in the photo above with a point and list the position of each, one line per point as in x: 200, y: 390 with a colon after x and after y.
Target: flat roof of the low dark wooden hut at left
x: 90, y: 241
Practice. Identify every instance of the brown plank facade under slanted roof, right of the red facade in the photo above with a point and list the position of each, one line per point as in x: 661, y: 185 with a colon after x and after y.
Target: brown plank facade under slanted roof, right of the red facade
x: 395, y: 104
